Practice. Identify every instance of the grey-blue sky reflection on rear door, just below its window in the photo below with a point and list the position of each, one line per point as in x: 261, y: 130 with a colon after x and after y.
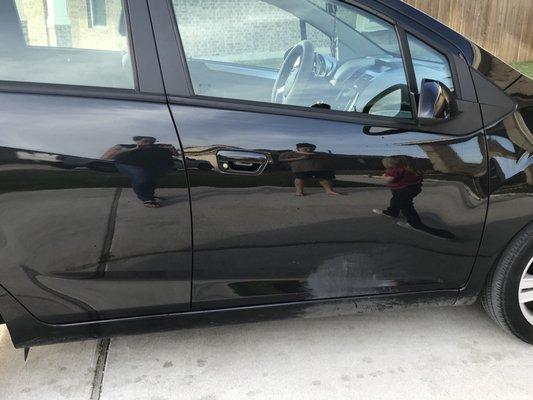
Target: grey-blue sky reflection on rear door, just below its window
x: 79, y: 127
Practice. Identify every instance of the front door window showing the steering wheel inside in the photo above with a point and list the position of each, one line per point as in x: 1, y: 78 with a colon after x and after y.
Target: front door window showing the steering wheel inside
x: 309, y: 53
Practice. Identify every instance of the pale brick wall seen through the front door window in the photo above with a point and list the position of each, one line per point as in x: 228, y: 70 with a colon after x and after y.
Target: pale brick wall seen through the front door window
x: 244, y: 29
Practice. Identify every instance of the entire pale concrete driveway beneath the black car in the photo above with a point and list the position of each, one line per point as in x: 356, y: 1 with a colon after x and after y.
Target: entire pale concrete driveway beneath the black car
x: 428, y: 353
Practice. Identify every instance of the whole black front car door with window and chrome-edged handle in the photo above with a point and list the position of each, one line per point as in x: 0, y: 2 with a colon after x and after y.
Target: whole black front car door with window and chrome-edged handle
x: 339, y: 110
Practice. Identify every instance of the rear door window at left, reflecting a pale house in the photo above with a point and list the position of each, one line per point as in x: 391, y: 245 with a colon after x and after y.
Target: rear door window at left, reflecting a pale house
x: 67, y: 42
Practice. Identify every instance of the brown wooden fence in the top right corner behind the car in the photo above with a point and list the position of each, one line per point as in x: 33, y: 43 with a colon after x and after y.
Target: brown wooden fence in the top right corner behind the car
x: 503, y: 27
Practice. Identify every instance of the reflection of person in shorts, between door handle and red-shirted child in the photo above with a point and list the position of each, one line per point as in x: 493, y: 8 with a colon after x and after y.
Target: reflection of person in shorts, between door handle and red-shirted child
x: 306, y: 164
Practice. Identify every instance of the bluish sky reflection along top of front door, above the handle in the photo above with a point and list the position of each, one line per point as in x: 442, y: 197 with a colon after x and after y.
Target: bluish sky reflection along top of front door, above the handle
x: 278, y: 132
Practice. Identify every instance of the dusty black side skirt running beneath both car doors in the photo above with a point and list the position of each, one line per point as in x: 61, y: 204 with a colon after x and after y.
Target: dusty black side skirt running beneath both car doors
x: 27, y: 331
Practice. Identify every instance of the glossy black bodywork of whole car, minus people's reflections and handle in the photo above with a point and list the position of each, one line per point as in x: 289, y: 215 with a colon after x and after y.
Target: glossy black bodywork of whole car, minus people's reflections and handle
x: 81, y: 258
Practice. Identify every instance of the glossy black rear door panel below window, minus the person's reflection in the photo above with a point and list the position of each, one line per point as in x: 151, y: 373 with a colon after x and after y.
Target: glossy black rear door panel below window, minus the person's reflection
x: 75, y: 244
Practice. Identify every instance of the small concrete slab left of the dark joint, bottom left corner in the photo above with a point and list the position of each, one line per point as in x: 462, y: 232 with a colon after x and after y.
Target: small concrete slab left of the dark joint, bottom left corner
x: 54, y: 372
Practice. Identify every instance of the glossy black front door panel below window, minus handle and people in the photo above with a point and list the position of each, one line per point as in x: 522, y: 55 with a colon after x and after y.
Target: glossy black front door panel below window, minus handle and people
x: 256, y: 242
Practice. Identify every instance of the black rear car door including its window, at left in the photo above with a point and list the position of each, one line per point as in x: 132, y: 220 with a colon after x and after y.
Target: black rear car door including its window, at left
x: 86, y: 138
